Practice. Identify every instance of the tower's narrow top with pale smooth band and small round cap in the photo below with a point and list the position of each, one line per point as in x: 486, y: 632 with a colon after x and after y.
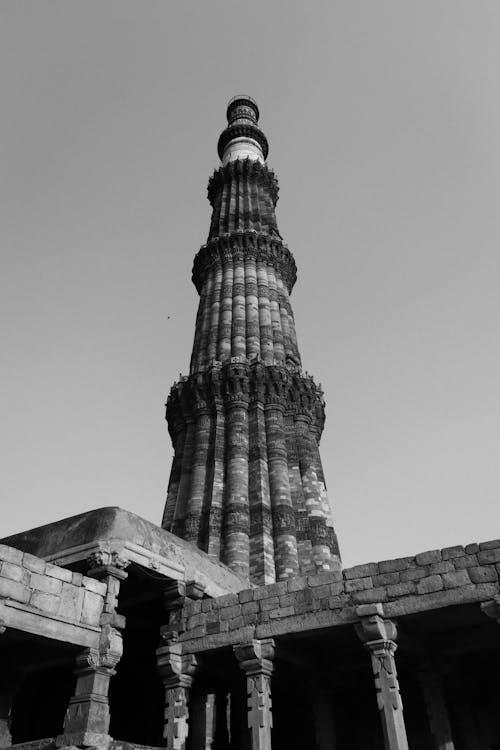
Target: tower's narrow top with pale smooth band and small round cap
x: 242, y: 138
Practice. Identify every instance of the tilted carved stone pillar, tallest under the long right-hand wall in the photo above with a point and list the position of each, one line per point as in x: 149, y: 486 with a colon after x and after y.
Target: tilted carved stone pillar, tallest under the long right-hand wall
x: 379, y: 636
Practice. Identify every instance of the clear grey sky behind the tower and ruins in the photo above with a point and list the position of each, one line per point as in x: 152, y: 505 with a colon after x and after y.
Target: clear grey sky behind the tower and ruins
x: 384, y: 126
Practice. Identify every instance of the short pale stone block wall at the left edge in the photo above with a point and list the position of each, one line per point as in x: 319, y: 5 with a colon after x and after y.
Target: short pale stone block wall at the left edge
x: 54, y: 591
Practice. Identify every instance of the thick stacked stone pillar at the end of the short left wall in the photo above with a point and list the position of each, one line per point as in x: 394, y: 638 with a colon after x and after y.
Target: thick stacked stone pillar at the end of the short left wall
x: 87, y: 719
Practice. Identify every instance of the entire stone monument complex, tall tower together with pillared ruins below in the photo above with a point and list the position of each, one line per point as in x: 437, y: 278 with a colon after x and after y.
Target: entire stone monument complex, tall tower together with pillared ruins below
x: 233, y: 626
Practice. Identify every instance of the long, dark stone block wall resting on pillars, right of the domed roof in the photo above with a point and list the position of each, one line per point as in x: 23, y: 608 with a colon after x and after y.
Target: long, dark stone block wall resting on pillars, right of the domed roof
x: 429, y: 580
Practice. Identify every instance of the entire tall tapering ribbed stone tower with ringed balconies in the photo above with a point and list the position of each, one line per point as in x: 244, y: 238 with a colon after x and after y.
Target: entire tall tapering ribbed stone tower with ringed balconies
x: 247, y: 484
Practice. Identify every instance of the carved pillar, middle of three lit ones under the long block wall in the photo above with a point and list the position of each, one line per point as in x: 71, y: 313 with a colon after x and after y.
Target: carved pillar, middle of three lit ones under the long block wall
x: 255, y: 659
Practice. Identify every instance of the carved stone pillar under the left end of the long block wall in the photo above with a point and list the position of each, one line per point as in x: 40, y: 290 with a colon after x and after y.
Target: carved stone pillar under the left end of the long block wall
x: 176, y: 671
